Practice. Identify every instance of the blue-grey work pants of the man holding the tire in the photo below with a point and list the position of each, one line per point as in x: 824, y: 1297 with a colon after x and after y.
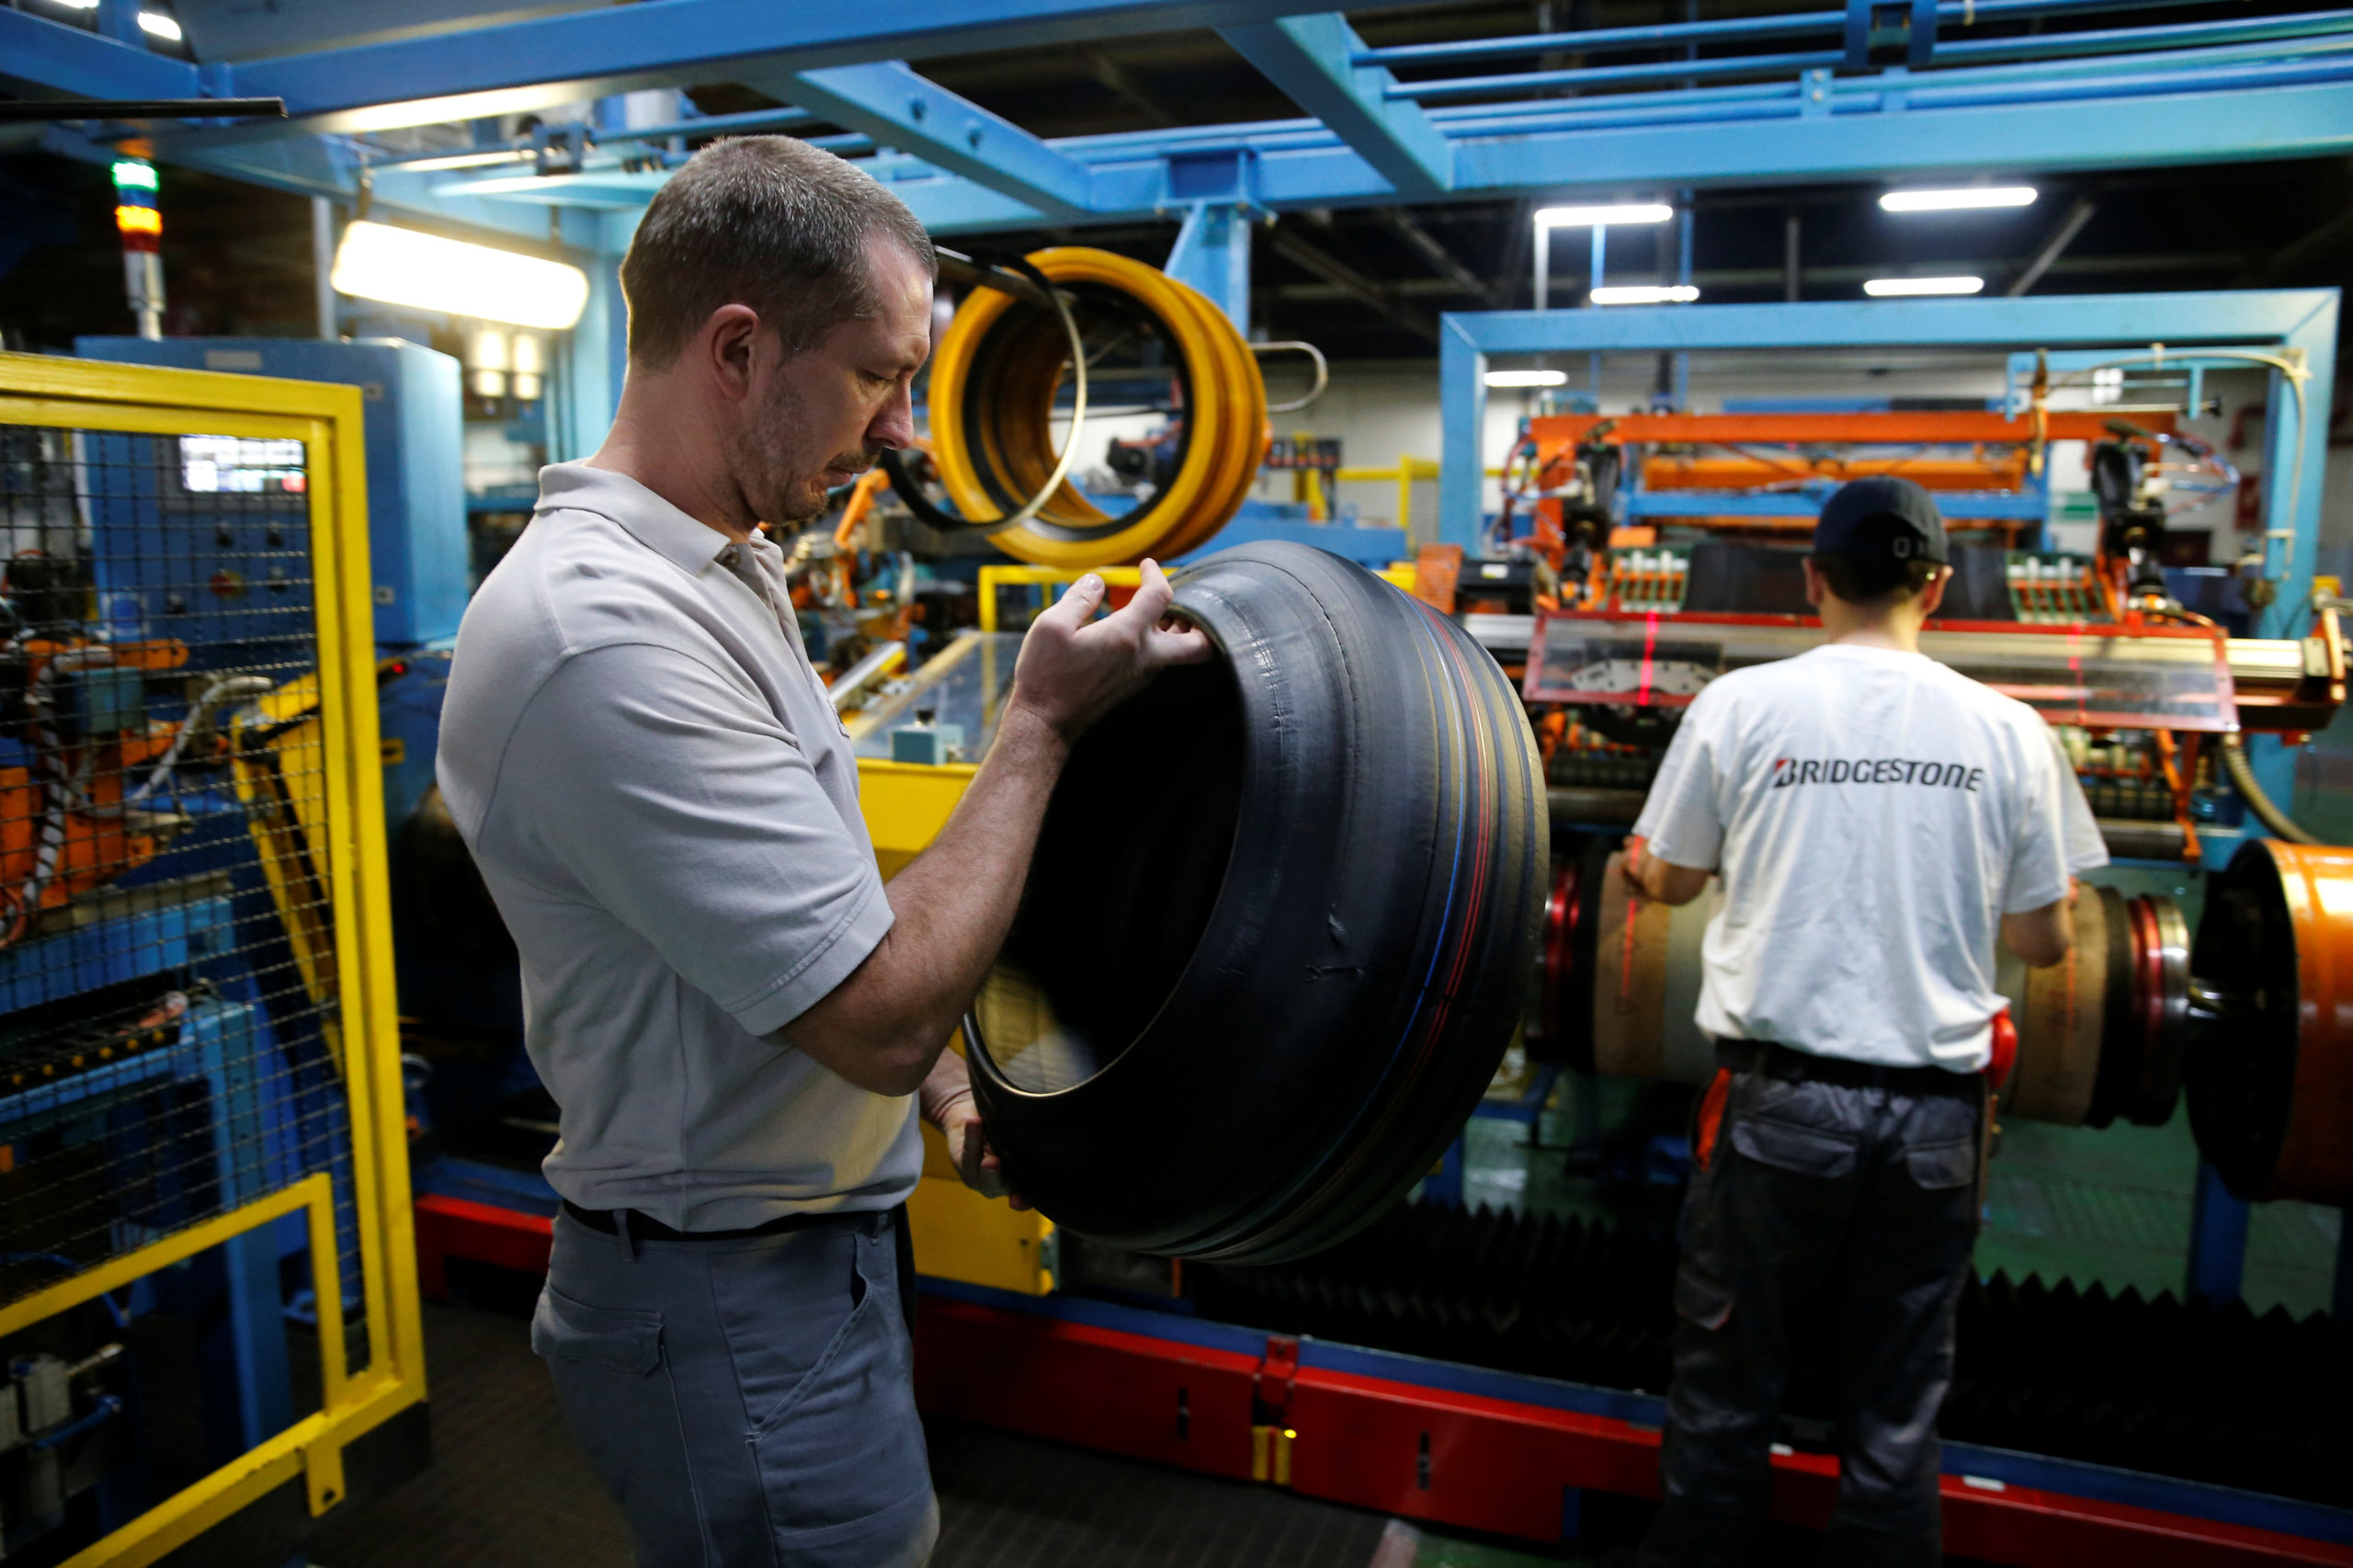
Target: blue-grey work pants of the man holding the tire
x: 752, y: 1402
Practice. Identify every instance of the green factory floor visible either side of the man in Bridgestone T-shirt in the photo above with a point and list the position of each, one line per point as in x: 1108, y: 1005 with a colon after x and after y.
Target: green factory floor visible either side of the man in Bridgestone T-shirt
x: 2091, y: 1207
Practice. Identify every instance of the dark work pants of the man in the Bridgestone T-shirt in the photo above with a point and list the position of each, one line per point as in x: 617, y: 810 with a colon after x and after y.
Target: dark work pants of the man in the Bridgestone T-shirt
x: 1844, y: 1200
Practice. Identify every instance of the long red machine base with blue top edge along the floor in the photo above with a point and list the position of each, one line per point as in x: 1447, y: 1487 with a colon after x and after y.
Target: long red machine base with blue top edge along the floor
x: 1411, y: 1437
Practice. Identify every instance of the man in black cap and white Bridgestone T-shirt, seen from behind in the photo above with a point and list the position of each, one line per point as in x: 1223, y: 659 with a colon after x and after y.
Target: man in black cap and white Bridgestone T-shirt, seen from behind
x: 1879, y: 823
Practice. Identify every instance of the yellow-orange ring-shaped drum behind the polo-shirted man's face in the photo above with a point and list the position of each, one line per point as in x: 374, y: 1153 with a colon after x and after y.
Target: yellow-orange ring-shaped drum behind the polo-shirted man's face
x: 996, y: 376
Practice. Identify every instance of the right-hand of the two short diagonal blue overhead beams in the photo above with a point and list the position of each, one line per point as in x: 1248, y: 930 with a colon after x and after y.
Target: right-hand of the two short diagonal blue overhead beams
x: 1312, y: 62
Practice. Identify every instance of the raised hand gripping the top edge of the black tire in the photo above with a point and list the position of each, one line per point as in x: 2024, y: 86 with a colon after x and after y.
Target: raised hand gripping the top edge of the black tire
x: 1074, y: 667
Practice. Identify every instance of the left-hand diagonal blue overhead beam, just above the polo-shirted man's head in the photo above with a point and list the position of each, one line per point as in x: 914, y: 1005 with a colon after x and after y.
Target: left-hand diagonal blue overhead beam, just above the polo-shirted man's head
x: 902, y: 109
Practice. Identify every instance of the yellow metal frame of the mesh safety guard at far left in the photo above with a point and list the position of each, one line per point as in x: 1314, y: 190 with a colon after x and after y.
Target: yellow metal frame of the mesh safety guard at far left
x: 149, y: 401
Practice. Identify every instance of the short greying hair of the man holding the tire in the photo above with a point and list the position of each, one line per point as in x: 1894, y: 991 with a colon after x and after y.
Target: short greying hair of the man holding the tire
x: 768, y: 222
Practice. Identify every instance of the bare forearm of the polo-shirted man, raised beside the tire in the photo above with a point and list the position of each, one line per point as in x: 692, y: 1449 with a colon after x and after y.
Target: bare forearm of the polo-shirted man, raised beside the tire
x: 952, y: 908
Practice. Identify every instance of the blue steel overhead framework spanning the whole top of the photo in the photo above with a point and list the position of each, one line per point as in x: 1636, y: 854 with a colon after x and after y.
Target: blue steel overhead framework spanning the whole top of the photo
x: 2185, y: 93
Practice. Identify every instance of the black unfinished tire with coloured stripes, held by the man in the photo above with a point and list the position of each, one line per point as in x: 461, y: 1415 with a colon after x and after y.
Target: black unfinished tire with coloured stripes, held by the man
x: 1284, y: 908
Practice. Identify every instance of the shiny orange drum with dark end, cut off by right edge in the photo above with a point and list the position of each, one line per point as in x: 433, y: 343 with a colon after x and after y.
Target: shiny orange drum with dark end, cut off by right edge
x: 2272, y: 1023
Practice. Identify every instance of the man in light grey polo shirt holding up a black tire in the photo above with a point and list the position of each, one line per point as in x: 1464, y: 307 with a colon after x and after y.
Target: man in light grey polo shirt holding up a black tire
x: 731, y: 1009
